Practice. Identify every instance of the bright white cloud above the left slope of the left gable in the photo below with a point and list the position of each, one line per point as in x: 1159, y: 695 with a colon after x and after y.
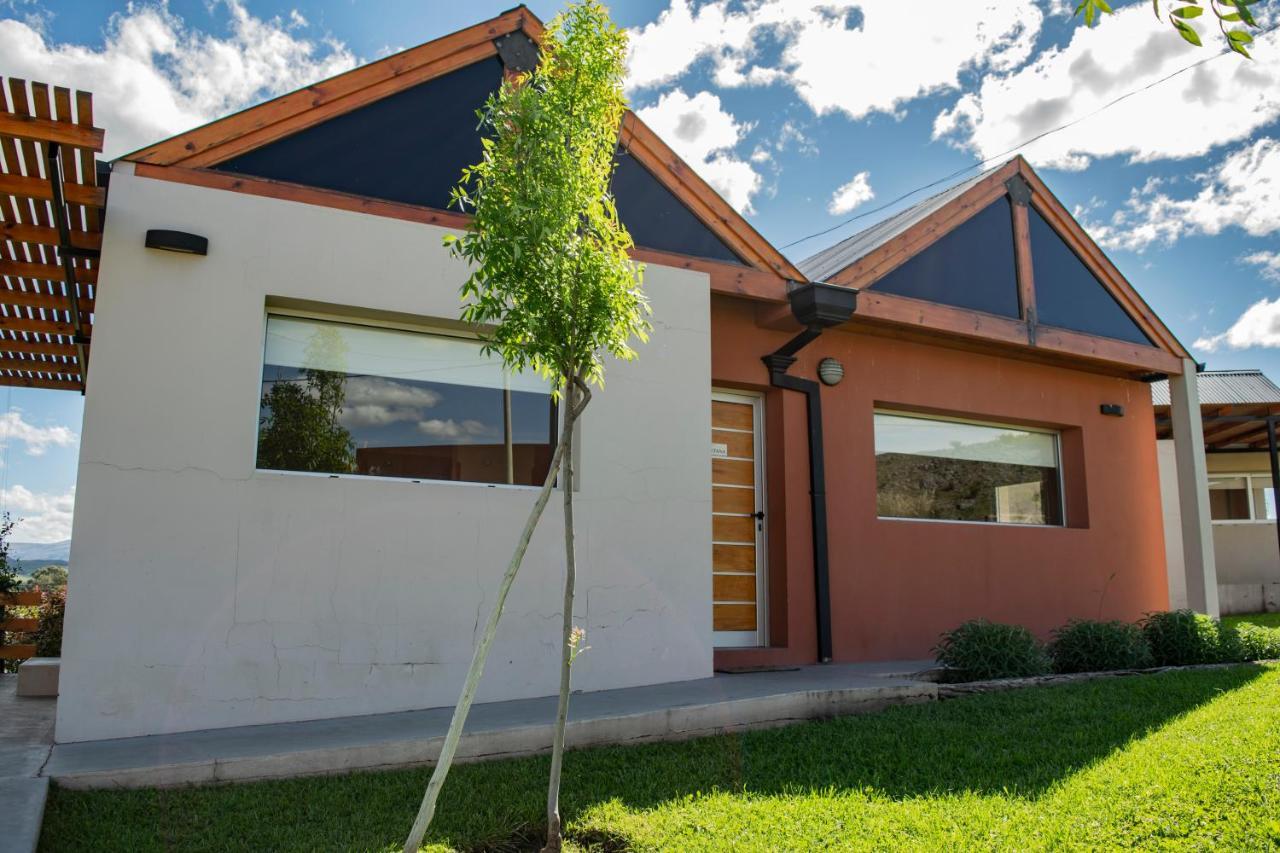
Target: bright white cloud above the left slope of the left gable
x: 156, y: 76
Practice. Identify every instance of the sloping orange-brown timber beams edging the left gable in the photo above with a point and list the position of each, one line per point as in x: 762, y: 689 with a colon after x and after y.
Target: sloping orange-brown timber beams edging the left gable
x: 218, y: 143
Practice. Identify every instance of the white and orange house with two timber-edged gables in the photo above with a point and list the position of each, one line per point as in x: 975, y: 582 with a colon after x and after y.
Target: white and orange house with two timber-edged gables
x: 300, y: 481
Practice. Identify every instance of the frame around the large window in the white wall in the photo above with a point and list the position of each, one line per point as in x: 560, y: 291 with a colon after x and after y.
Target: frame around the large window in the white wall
x: 395, y: 326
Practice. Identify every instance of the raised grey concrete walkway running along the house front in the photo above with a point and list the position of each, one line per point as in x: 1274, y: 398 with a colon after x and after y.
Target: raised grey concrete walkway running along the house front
x: 500, y: 729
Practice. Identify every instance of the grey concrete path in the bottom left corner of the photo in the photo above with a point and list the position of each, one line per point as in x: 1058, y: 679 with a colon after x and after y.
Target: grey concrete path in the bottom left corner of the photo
x: 26, y: 738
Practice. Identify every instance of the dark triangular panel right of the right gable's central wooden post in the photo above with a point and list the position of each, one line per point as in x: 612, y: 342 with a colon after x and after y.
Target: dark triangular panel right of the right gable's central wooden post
x: 1068, y: 295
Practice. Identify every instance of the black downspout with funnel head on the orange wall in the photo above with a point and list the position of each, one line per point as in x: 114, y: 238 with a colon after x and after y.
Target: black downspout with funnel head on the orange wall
x: 817, y: 307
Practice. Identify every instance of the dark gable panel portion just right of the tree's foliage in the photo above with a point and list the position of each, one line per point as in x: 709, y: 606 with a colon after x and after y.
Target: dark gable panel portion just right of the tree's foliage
x: 659, y: 220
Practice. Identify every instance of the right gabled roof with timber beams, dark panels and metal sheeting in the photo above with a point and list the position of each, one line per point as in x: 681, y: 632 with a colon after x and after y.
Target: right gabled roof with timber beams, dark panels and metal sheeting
x: 929, y: 268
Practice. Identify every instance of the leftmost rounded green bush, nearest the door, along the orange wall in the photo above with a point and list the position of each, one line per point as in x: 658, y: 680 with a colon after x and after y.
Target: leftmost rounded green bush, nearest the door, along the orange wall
x: 979, y: 650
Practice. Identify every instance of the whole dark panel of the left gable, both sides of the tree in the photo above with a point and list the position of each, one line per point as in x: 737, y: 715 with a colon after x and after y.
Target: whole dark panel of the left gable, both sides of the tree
x: 413, y: 147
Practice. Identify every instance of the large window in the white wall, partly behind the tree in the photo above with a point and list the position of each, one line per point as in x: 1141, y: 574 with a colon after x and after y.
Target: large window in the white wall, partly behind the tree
x: 341, y: 399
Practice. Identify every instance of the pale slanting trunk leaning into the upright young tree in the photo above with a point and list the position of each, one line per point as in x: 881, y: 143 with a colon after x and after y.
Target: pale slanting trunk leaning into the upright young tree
x: 469, y: 690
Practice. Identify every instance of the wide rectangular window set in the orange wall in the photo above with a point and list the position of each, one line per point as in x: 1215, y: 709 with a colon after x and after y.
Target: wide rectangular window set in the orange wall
x: 952, y: 471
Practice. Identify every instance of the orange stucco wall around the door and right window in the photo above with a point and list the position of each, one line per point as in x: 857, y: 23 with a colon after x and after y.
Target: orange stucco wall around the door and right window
x: 895, y: 586
